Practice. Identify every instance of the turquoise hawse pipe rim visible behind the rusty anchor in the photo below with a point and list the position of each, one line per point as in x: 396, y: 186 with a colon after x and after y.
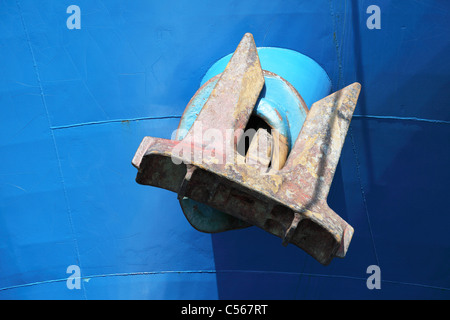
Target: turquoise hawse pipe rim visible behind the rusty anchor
x: 287, y: 69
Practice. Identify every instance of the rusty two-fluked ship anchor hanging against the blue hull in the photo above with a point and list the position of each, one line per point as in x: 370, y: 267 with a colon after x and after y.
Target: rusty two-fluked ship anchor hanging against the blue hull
x: 280, y: 192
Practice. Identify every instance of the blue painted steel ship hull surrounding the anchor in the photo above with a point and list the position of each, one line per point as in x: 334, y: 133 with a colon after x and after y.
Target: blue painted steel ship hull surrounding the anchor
x: 76, y: 103
